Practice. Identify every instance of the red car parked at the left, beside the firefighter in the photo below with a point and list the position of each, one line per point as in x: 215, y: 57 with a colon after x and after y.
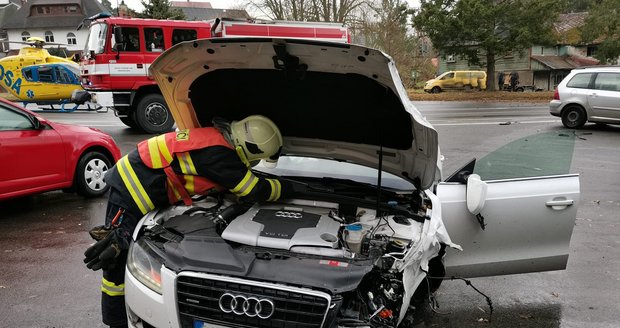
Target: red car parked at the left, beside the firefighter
x: 37, y: 155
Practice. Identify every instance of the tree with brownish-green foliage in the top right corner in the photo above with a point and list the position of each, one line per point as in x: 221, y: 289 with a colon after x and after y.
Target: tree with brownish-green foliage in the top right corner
x: 601, y: 25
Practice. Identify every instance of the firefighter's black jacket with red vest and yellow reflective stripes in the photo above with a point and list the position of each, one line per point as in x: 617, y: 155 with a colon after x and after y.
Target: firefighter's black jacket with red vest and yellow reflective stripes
x: 174, y: 166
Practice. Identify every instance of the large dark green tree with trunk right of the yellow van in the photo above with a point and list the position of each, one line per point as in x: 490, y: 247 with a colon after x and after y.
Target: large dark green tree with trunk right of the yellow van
x: 485, y: 30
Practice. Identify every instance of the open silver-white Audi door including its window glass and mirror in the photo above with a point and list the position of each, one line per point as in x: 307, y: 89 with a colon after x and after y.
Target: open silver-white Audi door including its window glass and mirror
x: 514, y: 210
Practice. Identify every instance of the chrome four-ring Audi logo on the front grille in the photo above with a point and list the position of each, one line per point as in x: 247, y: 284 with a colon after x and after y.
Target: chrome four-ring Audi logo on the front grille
x: 249, y: 306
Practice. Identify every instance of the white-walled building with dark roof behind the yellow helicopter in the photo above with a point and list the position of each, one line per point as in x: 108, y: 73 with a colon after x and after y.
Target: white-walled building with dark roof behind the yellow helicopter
x: 52, y: 20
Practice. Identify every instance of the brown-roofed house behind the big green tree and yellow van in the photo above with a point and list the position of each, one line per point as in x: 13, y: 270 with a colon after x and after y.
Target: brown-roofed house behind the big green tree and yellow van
x: 542, y: 67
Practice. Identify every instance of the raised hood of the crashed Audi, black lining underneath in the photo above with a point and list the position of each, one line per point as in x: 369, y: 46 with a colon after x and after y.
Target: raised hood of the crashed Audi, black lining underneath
x: 329, y: 100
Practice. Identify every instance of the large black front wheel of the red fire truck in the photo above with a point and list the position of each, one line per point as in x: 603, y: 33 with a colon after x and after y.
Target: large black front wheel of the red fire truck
x: 153, y: 116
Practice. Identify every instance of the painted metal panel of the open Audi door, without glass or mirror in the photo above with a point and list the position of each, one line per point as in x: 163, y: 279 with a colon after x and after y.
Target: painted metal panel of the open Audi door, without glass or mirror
x: 527, y: 226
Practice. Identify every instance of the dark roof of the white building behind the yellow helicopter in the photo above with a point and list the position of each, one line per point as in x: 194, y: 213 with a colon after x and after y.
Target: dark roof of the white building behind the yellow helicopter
x: 22, y: 19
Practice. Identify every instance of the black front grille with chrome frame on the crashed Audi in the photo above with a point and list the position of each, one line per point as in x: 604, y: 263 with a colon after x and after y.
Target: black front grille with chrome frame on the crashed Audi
x: 234, y: 302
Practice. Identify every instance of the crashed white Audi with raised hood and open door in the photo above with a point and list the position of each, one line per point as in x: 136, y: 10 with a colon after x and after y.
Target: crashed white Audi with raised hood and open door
x: 371, y: 220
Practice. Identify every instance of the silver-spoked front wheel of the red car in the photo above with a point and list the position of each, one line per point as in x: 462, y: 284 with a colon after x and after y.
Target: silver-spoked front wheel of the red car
x: 89, y: 174
